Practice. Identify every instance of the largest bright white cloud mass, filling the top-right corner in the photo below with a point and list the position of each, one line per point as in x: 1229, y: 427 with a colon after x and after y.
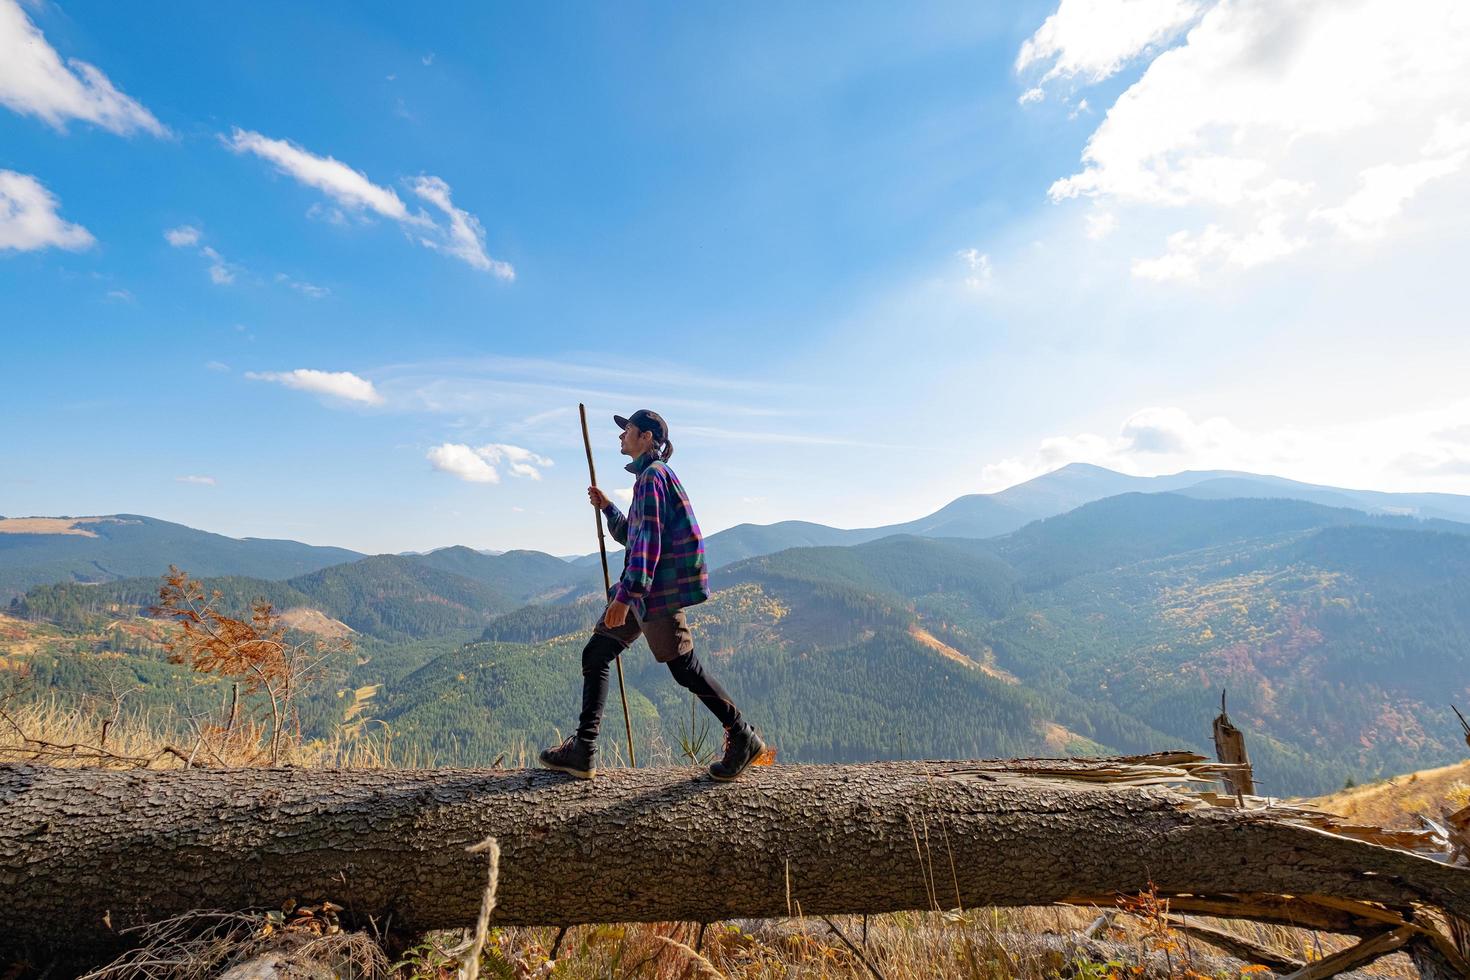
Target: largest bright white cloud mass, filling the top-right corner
x: 1275, y: 127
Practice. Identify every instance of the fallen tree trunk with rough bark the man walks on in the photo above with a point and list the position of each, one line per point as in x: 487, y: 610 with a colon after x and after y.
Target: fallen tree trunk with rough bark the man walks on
x: 85, y: 853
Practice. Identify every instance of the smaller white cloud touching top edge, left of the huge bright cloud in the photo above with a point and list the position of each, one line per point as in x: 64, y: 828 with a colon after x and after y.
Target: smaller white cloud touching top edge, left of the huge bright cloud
x: 1094, y: 39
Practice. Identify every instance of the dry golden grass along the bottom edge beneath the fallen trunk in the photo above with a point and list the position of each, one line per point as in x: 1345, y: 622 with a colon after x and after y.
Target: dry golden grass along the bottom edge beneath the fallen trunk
x: 1024, y: 944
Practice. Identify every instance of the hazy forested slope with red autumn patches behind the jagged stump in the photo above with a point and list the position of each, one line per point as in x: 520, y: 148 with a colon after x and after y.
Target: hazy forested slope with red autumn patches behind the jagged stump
x: 1337, y: 668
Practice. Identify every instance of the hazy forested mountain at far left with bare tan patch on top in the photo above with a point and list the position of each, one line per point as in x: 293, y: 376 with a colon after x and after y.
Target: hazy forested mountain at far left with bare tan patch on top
x: 39, y: 552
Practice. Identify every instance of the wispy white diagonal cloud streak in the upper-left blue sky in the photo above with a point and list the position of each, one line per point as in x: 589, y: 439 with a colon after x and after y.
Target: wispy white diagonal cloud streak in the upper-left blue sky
x: 461, y: 236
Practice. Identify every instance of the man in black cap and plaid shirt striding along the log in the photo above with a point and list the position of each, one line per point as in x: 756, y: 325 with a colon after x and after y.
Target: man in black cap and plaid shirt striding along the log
x: 664, y: 572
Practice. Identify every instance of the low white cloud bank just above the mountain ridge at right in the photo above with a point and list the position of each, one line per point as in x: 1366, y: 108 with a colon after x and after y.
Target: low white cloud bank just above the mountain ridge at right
x: 1385, y: 453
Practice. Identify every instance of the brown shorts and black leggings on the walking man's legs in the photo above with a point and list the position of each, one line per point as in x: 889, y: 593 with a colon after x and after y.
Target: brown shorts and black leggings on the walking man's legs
x: 673, y: 646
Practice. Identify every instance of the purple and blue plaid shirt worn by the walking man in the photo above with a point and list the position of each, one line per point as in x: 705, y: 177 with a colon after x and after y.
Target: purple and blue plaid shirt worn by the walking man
x: 664, y: 566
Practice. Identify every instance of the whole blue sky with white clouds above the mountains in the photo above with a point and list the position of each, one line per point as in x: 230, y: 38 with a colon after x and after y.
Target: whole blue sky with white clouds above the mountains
x: 343, y: 273
